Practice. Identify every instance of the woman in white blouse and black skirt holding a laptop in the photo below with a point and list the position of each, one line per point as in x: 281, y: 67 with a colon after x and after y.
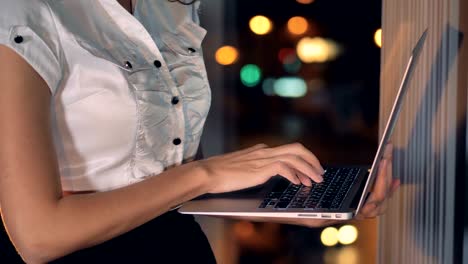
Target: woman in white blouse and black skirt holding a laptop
x: 102, y: 108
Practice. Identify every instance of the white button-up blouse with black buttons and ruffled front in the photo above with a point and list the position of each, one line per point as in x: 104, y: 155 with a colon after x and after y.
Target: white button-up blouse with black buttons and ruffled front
x: 130, y: 93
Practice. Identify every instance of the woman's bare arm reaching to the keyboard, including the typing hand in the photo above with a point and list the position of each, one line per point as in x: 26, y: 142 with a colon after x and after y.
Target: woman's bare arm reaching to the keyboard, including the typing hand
x: 44, y: 225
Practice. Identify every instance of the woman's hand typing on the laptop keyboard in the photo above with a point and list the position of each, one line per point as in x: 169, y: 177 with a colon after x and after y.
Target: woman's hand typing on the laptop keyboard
x: 254, y: 166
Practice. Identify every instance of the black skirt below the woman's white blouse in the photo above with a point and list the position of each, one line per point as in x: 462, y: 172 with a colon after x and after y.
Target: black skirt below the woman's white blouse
x: 169, y: 238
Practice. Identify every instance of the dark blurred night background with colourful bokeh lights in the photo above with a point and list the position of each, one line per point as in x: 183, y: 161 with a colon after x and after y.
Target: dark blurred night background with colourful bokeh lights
x: 293, y: 71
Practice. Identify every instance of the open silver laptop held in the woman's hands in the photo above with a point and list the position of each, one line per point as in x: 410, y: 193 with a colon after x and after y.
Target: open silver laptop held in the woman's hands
x: 340, y: 196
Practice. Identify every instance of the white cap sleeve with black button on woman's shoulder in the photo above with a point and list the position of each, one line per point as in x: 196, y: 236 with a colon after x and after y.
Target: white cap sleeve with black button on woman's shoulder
x: 28, y: 27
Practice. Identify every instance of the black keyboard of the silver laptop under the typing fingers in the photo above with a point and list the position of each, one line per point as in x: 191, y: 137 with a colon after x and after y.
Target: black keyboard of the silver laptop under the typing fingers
x: 328, y: 194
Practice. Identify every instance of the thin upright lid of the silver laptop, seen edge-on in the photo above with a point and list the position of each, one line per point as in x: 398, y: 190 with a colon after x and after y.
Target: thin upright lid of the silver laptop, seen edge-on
x: 396, y: 109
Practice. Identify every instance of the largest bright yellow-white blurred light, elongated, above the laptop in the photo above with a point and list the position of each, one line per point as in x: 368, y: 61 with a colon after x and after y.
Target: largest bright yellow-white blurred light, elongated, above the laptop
x: 317, y: 50
